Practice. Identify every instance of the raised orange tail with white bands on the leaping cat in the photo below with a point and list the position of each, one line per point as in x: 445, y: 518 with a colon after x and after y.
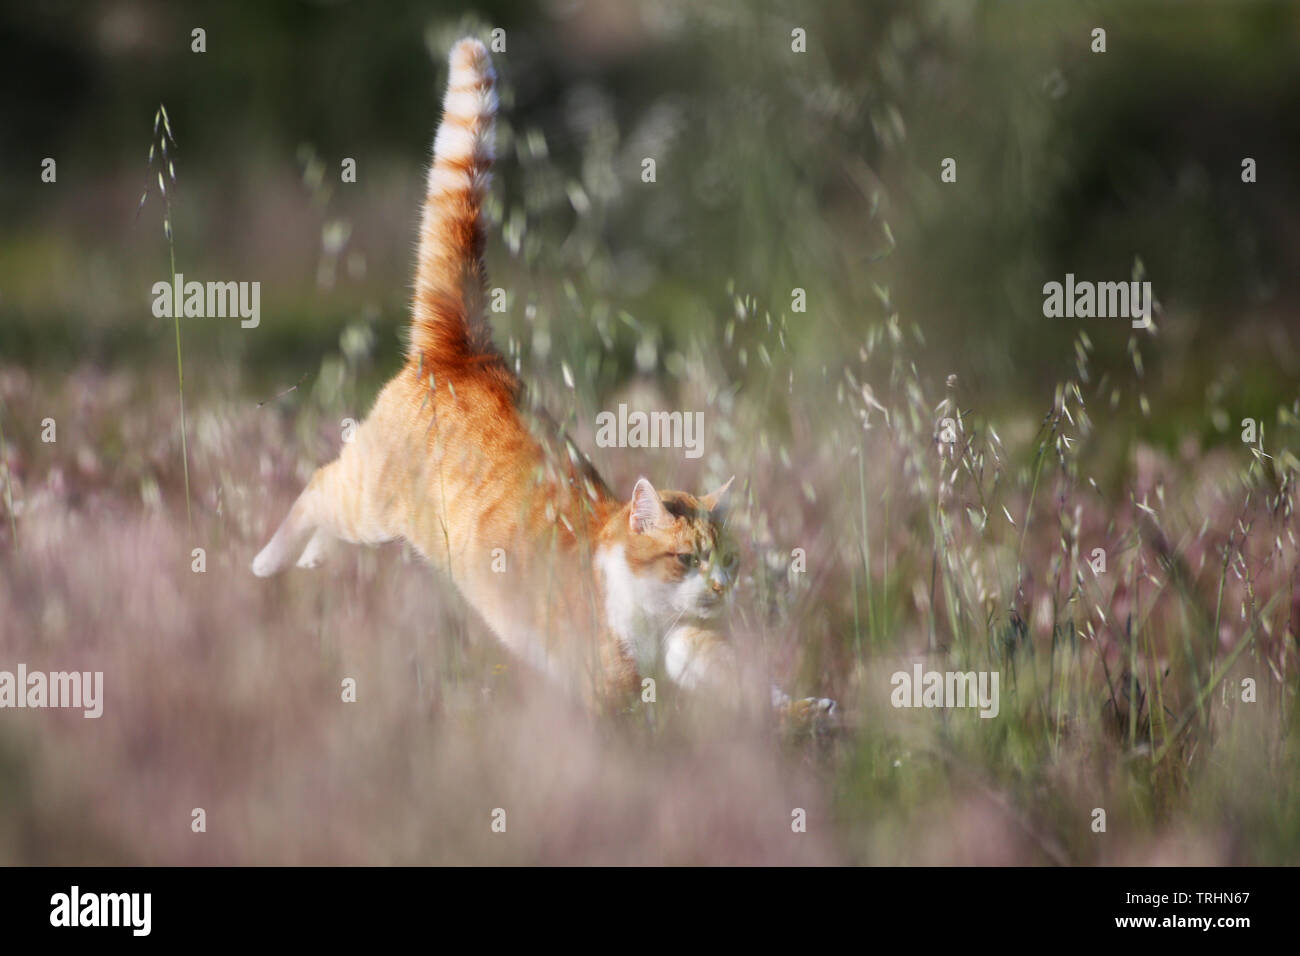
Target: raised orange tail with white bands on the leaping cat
x: 449, y: 327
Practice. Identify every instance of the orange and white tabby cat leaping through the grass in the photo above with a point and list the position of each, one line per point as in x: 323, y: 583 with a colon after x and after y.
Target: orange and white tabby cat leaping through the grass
x: 591, y: 590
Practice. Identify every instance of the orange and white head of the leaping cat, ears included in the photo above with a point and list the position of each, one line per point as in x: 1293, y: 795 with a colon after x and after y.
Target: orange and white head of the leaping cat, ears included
x: 670, y: 557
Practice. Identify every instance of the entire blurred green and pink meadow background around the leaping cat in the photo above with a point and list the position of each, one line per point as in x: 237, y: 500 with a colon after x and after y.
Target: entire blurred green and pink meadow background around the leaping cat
x: 774, y: 171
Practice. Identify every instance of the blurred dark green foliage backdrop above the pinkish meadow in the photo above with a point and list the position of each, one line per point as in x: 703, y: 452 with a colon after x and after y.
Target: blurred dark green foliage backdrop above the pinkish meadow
x: 774, y: 171
